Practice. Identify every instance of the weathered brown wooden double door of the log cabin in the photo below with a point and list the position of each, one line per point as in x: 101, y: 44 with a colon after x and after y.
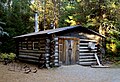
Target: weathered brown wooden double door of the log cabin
x: 68, y: 50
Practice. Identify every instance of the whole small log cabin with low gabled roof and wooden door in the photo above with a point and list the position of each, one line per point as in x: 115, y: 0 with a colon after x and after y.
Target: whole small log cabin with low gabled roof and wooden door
x: 61, y: 46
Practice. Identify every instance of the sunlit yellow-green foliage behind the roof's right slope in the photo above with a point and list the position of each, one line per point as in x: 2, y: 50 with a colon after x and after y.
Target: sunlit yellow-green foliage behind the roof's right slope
x: 102, y: 16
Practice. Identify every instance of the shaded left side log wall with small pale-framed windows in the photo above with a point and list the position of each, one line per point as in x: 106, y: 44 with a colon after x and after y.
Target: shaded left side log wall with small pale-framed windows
x: 31, y: 48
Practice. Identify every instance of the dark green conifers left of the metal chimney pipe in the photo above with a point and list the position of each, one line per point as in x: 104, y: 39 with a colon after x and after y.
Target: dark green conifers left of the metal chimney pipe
x: 16, y: 16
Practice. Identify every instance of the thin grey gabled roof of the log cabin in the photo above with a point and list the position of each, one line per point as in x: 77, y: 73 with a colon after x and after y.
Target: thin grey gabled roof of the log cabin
x: 57, y: 30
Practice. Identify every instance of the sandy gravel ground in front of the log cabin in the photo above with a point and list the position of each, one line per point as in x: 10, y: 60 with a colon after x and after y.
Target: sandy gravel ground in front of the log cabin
x: 73, y: 73
